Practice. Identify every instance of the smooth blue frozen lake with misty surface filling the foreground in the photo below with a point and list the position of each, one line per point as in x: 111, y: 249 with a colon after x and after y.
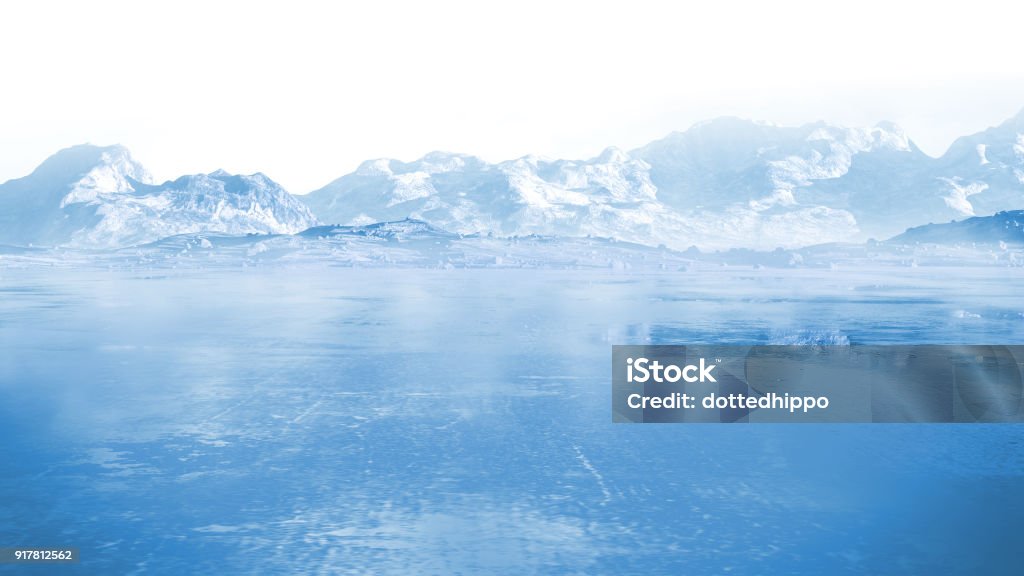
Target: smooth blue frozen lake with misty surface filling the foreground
x: 306, y: 419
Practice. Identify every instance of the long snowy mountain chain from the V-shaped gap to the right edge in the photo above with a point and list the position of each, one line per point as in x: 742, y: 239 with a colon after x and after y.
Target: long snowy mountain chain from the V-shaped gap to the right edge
x: 728, y: 183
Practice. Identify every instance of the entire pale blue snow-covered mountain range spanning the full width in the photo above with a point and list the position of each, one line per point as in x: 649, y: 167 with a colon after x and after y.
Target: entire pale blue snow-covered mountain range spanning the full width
x: 723, y: 184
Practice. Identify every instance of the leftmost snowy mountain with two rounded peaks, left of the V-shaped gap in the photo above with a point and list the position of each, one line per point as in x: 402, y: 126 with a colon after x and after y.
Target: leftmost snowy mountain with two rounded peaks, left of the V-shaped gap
x: 101, y: 197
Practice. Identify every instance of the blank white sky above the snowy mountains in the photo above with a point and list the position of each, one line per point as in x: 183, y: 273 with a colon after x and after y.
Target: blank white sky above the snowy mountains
x: 305, y: 92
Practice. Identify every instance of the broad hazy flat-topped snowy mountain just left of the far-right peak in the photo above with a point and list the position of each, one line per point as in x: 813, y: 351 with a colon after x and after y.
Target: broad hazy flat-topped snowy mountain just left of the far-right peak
x: 869, y: 183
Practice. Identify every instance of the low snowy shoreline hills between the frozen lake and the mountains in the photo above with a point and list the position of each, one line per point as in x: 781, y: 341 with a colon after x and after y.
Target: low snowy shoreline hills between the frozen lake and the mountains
x: 415, y: 244
